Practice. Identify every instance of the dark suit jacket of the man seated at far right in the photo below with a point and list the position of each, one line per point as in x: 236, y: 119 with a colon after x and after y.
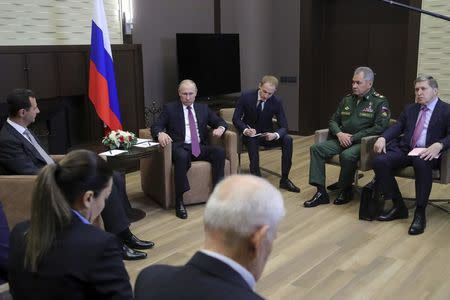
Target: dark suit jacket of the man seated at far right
x: 438, y: 128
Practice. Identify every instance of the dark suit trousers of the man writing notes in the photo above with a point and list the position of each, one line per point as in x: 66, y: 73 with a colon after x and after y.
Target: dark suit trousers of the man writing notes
x: 253, y: 144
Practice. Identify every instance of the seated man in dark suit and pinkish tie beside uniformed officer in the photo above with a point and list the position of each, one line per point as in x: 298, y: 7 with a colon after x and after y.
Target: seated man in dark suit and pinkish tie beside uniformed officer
x: 423, y: 124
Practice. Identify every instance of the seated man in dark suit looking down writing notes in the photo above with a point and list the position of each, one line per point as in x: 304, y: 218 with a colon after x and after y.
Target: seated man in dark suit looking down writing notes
x: 253, y: 115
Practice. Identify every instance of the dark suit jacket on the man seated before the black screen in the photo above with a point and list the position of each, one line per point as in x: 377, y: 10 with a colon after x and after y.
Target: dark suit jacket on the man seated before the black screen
x: 171, y: 120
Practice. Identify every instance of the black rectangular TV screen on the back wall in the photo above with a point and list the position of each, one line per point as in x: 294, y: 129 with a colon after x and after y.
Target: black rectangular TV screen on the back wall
x: 211, y: 60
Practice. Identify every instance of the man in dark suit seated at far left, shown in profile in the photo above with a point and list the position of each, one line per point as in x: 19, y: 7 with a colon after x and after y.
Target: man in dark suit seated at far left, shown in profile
x: 21, y: 154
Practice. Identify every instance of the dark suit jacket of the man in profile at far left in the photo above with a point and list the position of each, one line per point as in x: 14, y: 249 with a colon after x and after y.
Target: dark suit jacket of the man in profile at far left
x: 17, y: 155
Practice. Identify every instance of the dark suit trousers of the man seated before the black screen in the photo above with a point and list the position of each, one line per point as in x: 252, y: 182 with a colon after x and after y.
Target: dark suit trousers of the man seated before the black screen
x: 182, y: 158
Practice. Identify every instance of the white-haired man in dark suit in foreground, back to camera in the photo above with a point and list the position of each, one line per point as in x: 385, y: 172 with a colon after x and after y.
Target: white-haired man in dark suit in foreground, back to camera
x: 240, y: 221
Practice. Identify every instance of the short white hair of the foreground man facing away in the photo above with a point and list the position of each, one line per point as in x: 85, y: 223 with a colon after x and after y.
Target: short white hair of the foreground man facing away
x: 243, y: 203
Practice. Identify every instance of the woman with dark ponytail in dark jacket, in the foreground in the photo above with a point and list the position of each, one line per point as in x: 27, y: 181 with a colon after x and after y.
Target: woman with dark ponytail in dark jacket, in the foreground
x: 58, y: 254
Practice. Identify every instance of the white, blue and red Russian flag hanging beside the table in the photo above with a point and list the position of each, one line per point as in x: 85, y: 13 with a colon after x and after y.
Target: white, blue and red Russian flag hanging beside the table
x: 102, y: 82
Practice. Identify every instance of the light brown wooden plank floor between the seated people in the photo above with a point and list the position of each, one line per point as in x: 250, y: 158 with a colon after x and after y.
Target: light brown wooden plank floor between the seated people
x: 323, y: 252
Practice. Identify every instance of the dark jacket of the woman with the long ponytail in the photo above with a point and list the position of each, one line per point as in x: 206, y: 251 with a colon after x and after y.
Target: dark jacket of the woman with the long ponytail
x: 83, y: 263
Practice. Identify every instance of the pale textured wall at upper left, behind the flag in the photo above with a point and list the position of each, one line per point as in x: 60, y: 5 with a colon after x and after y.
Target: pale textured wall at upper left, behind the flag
x: 51, y: 22
